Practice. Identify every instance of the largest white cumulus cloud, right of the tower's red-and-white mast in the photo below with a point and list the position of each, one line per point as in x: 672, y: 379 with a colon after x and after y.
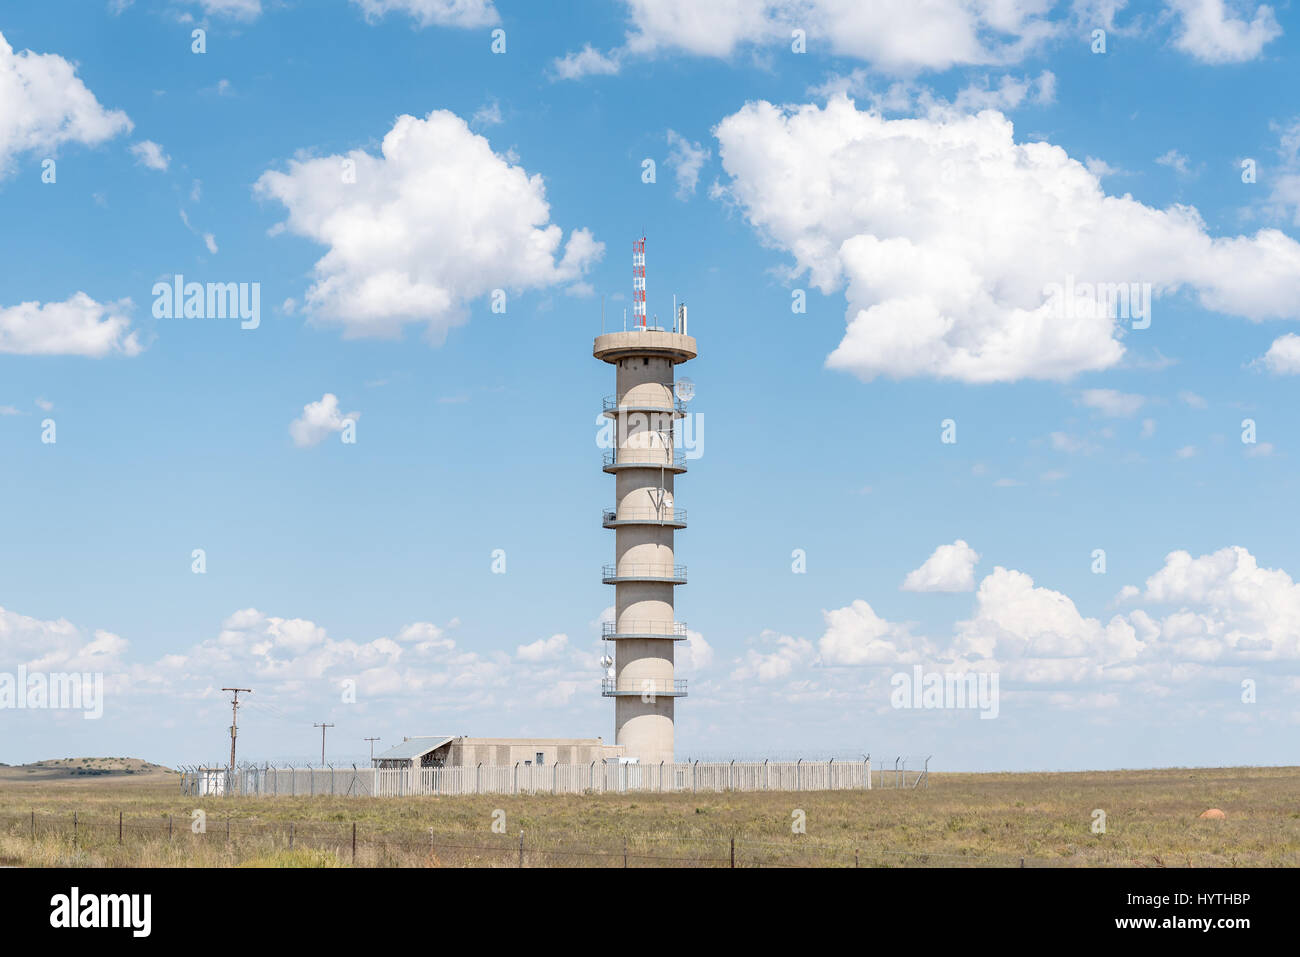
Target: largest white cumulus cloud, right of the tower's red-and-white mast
x: 951, y: 239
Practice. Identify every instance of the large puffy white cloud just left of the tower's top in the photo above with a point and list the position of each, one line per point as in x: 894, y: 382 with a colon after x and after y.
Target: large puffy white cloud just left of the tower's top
x: 434, y: 223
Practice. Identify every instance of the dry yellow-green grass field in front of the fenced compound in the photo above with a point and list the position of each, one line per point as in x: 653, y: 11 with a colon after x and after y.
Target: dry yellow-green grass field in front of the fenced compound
x: 961, y: 820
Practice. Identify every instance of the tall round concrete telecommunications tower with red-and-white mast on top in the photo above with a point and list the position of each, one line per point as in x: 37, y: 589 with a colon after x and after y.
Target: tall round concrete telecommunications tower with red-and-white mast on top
x: 644, y: 462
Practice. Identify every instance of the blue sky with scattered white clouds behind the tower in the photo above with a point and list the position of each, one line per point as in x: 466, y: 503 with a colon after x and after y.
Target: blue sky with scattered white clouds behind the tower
x: 922, y: 184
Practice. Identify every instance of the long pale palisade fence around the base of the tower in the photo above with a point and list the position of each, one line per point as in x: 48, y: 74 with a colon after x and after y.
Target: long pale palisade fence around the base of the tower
x: 535, y: 780
